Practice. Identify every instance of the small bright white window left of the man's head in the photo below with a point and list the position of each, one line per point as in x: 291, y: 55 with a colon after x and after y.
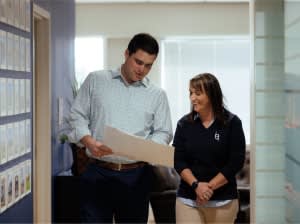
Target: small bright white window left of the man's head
x: 88, y: 56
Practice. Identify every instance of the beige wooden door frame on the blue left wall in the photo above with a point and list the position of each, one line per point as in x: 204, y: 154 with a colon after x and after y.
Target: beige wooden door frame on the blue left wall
x: 41, y: 116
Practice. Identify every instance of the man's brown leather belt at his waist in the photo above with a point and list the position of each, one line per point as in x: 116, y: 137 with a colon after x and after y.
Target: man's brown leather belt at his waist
x: 117, y: 166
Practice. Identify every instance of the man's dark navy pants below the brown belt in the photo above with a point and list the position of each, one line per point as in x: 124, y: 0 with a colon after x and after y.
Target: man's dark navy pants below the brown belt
x: 123, y: 195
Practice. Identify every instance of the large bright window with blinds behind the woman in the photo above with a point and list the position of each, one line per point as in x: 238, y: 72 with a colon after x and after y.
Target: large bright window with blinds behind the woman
x: 228, y: 58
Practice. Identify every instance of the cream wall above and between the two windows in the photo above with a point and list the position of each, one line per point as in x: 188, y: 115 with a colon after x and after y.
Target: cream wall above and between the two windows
x: 119, y: 22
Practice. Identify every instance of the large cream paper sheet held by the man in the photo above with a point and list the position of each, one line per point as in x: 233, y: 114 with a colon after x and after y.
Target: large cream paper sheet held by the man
x: 137, y: 148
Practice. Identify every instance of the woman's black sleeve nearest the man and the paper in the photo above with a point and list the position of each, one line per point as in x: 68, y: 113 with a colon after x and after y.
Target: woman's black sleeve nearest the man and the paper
x: 179, y: 155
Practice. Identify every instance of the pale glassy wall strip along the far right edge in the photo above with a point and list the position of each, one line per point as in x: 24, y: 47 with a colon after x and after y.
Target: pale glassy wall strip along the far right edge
x: 292, y: 118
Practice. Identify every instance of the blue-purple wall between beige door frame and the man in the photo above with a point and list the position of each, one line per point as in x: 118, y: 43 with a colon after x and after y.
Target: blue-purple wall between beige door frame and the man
x: 62, y: 68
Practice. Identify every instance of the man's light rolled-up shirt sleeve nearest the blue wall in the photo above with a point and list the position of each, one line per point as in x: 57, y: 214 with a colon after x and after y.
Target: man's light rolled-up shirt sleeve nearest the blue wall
x: 79, y: 116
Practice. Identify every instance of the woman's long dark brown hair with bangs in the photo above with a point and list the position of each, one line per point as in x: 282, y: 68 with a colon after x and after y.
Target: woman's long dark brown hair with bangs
x: 209, y: 84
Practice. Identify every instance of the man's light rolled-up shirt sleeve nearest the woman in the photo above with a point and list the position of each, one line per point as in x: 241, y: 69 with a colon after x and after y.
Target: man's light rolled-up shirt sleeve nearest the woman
x: 162, y: 126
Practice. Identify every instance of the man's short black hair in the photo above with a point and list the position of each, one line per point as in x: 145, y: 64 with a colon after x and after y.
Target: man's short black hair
x: 144, y: 42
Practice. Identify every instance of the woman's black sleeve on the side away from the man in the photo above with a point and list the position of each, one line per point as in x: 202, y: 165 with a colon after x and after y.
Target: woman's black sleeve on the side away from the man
x: 237, y: 148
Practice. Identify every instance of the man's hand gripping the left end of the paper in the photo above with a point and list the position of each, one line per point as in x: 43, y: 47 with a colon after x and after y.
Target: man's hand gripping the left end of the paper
x: 96, y: 148
